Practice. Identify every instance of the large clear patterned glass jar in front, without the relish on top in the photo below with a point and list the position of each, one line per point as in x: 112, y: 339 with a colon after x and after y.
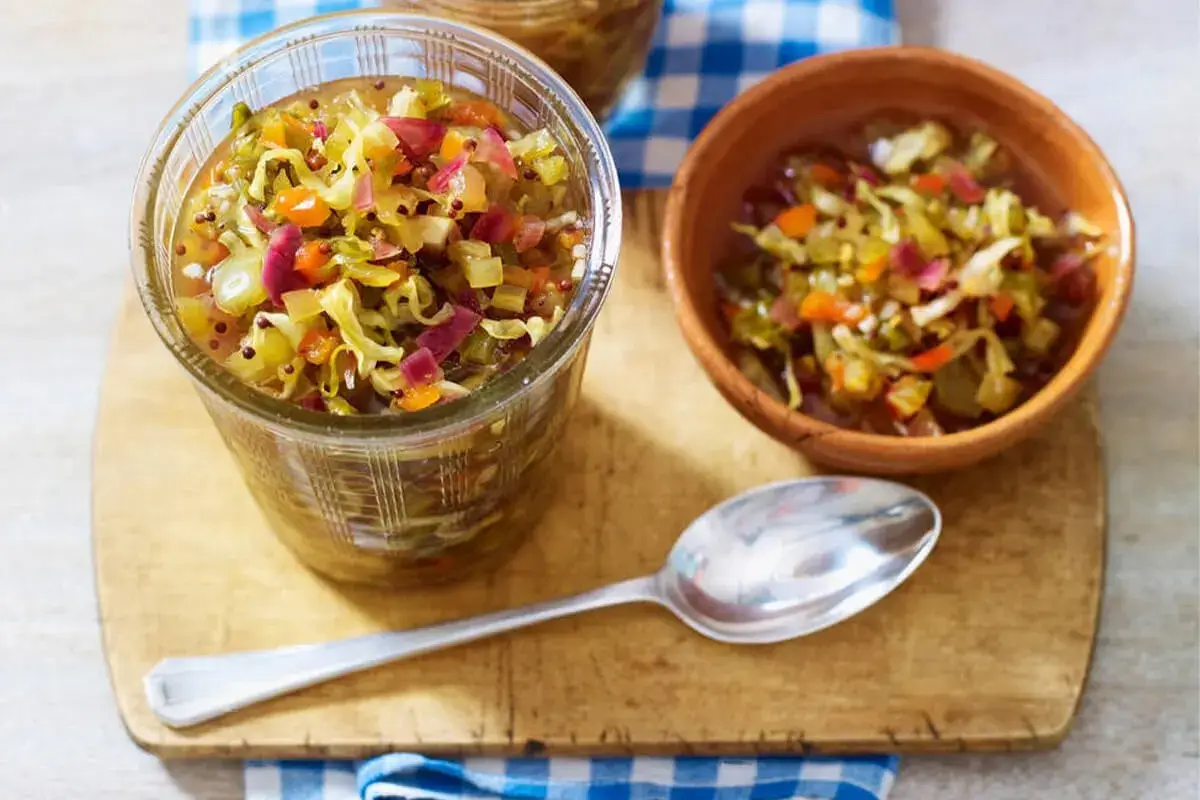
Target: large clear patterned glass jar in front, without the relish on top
x: 391, y: 500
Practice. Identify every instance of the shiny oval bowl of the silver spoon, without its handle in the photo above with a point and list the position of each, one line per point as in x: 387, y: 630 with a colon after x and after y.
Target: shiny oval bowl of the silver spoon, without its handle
x: 793, y: 558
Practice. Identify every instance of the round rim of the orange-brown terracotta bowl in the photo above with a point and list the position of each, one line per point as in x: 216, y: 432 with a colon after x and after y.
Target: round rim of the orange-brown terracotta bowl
x: 773, y: 416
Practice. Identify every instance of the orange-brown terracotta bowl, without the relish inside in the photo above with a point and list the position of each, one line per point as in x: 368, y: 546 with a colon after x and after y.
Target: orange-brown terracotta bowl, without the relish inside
x: 820, y: 101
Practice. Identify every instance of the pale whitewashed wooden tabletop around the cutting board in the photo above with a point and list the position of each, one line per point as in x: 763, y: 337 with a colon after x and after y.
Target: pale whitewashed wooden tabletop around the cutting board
x: 82, y: 86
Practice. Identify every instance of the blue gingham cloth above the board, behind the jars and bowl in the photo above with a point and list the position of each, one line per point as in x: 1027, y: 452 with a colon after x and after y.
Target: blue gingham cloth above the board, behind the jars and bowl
x: 705, y: 53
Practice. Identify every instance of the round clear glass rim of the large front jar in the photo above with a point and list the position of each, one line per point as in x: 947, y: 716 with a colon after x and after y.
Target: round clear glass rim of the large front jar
x: 482, y: 406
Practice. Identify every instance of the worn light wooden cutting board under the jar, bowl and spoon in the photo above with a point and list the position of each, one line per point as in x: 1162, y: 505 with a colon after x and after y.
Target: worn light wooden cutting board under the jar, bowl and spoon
x: 986, y: 648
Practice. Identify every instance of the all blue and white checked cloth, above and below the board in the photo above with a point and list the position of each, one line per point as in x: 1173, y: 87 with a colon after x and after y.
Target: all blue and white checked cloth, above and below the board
x: 704, y: 55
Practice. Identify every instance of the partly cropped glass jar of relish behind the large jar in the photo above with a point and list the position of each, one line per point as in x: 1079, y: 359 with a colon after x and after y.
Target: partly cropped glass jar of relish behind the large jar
x: 597, y: 45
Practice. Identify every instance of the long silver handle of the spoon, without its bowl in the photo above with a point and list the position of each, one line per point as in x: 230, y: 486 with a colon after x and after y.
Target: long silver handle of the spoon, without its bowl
x: 188, y: 691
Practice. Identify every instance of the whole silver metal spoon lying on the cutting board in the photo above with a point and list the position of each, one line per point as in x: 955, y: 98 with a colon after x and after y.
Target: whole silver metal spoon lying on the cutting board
x: 773, y: 564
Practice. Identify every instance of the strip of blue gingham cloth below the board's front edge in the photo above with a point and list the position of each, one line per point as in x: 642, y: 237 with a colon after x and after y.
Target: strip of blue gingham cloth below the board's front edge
x: 416, y: 778
